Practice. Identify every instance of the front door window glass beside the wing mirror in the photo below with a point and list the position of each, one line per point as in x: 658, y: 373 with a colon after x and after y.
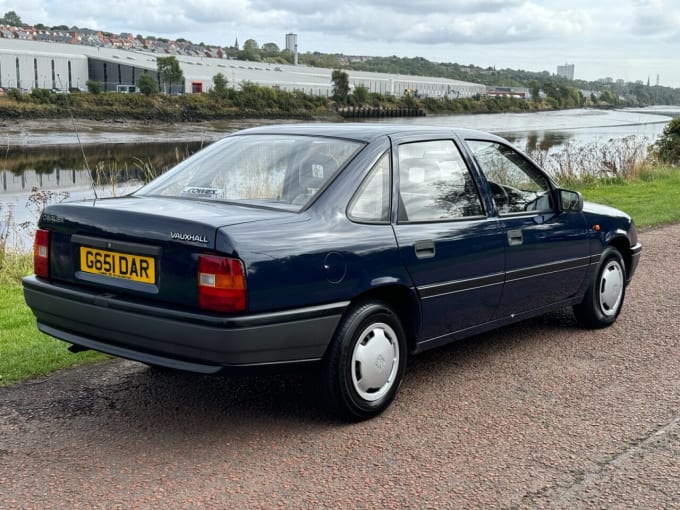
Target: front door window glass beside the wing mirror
x: 515, y: 183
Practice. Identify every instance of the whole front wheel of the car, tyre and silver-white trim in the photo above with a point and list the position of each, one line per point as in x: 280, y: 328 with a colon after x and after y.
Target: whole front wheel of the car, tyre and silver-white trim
x: 604, y: 298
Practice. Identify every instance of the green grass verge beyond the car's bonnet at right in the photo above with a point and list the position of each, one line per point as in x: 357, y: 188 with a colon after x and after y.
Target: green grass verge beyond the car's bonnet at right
x: 651, y: 198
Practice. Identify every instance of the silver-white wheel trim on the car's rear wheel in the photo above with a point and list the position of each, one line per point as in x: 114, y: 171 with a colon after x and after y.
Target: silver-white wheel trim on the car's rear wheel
x: 375, y: 362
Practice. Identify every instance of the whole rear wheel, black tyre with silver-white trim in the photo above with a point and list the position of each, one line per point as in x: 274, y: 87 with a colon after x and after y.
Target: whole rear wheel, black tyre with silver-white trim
x: 365, y: 363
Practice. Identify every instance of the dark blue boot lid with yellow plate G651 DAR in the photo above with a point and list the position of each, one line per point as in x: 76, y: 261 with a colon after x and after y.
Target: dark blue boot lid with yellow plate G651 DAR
x: 143, y: 246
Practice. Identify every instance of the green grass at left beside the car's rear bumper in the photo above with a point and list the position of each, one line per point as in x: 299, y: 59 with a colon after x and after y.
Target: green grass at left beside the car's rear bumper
x: 24, y: 351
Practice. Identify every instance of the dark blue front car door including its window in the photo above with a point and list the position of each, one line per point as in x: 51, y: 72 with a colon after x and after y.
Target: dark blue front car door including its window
x: 547, y: 252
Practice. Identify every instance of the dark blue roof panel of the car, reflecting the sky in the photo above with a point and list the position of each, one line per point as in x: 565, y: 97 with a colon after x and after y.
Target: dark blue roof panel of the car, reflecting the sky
x: 364, y: 131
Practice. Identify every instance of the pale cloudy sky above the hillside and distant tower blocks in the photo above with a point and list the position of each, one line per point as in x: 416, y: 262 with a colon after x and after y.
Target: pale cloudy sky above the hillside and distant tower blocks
x: 622, y: 39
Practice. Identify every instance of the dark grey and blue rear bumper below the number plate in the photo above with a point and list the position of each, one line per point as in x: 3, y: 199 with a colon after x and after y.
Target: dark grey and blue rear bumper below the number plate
x: 178, y: 339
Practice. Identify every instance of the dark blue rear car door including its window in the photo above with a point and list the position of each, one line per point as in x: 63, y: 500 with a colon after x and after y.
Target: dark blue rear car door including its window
x: 451, y: 248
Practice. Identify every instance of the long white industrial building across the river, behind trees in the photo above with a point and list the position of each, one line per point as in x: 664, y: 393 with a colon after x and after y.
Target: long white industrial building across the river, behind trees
x: 32, y: 64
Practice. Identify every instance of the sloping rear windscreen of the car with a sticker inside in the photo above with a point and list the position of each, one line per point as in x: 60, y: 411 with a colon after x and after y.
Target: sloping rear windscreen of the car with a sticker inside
x: 263, y: 170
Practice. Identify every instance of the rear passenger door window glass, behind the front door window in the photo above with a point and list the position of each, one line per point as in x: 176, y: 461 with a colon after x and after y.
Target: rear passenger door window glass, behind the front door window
x: 435, y: 184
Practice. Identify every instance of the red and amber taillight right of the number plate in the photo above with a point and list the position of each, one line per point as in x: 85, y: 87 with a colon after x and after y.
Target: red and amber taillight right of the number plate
x: 221, y: 284
